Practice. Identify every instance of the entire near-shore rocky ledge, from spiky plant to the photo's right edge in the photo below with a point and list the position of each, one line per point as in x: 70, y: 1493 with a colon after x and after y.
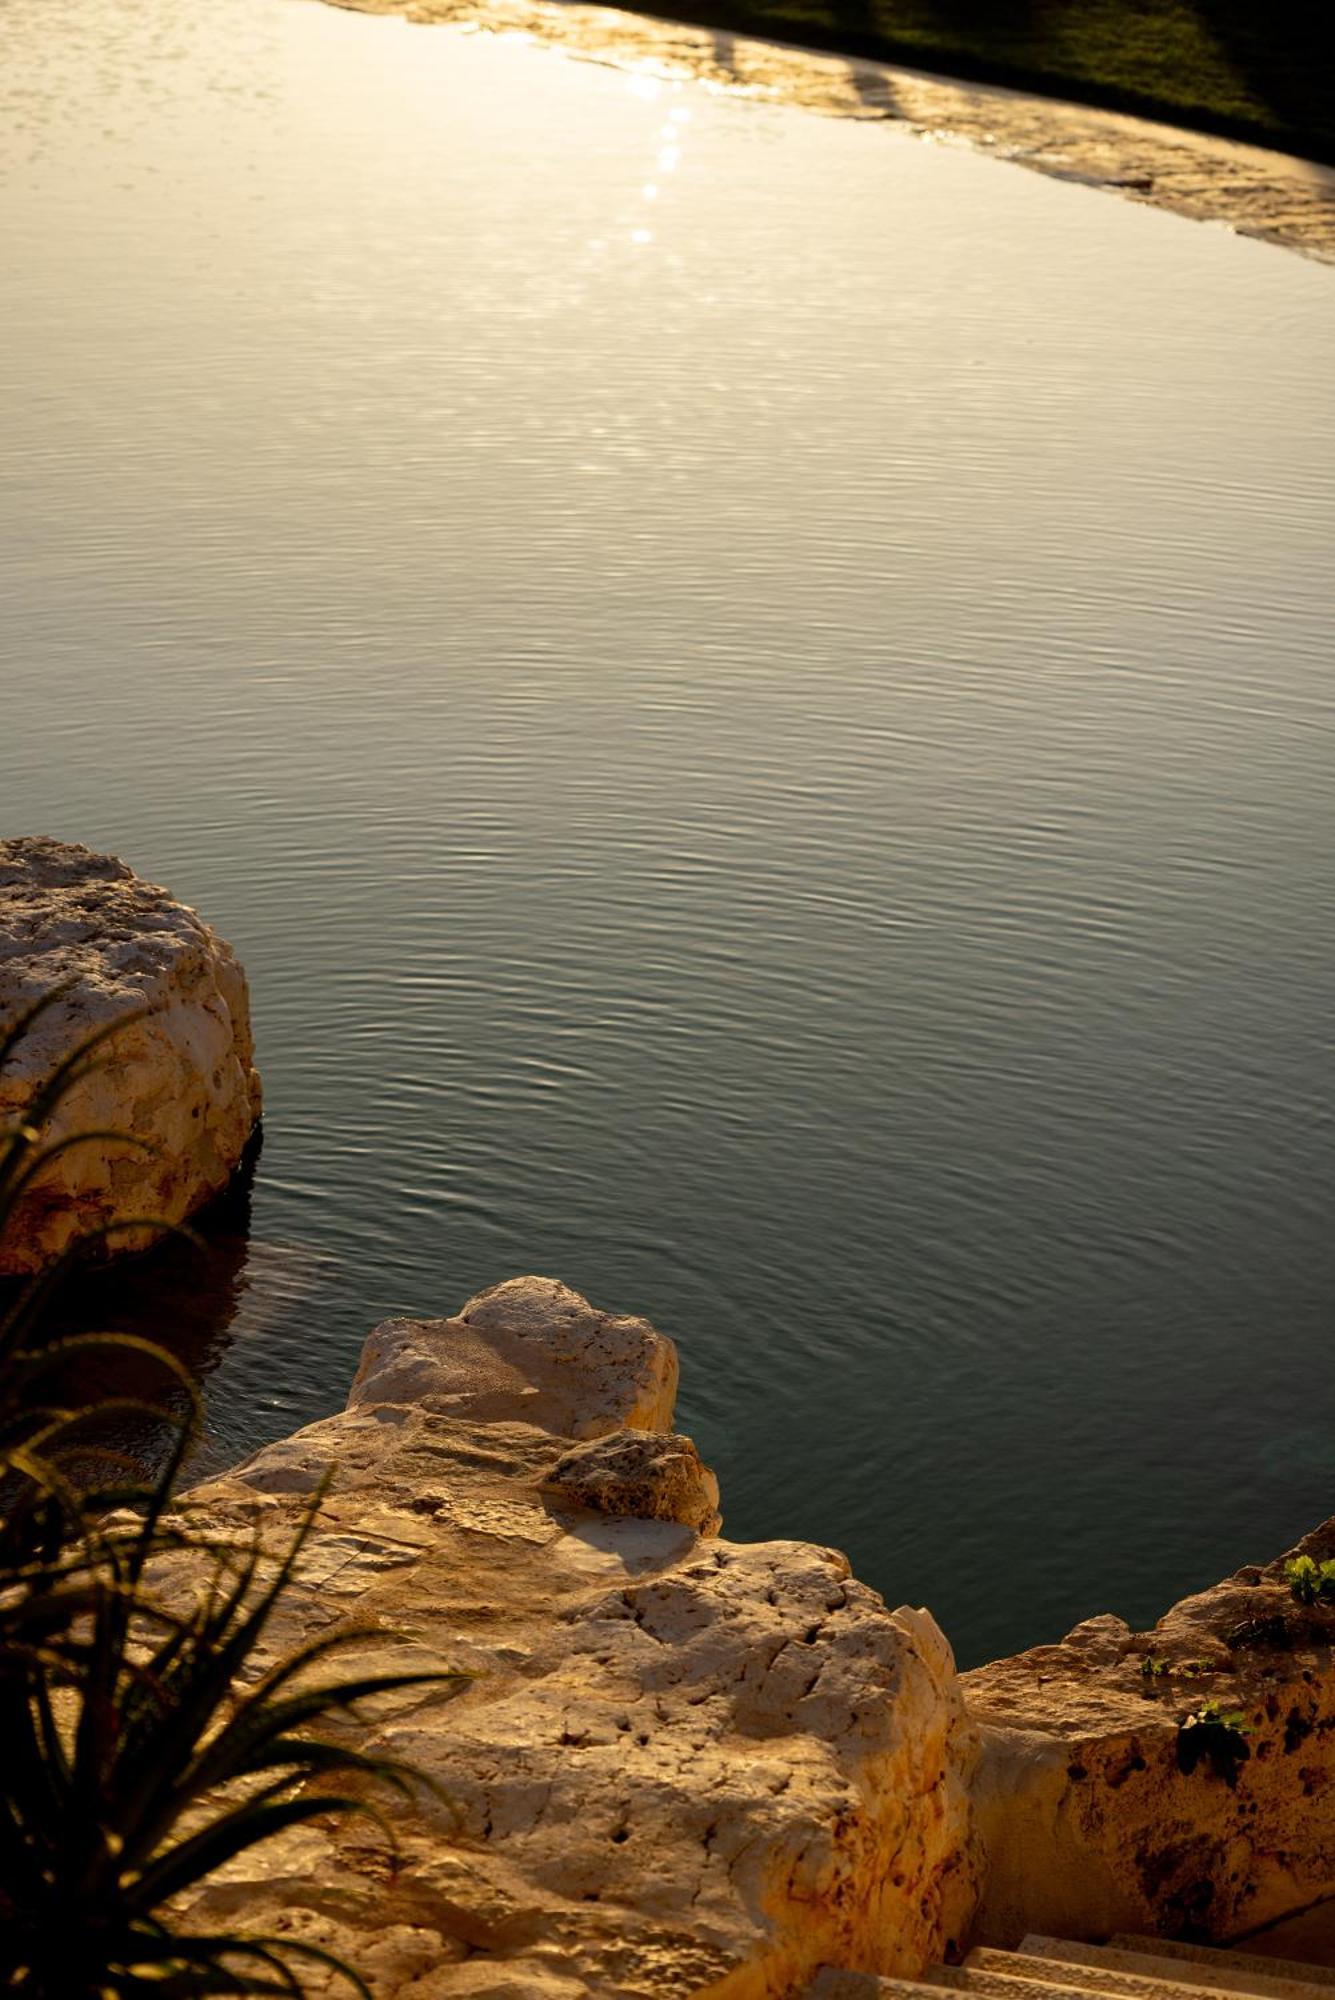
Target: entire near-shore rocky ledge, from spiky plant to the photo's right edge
x: 688, y: 1767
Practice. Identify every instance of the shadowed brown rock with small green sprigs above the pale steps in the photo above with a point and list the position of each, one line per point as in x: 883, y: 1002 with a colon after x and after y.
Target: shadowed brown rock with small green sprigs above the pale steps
x: 1104, y: 1815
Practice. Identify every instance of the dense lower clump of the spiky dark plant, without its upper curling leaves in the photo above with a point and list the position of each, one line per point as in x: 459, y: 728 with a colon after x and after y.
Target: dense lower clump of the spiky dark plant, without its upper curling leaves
x: 133, y: 1771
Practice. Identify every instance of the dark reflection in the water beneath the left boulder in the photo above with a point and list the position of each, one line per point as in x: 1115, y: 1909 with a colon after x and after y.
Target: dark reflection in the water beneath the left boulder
x: 193, y: 1299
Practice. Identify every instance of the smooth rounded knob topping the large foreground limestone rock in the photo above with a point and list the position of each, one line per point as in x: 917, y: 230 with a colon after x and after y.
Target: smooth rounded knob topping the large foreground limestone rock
x: 529, y: 1351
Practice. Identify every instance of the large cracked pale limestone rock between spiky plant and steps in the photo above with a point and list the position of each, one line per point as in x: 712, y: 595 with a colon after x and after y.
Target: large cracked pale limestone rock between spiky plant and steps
x: 684, y: 1767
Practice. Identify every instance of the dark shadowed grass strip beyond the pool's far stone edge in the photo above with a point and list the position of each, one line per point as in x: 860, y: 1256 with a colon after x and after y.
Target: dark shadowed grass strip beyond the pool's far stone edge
x: 1232, y: 67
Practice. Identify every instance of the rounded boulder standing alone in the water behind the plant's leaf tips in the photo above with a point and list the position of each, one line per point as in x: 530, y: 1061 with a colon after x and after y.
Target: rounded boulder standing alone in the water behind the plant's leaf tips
x: 181, y: 1081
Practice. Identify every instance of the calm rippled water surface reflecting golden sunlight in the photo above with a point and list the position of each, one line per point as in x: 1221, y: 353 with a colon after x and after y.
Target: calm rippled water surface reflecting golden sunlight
x: 768, y: 747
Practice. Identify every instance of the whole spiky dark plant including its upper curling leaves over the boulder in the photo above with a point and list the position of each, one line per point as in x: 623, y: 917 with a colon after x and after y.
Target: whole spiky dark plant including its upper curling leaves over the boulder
x: 131, y: 1763
